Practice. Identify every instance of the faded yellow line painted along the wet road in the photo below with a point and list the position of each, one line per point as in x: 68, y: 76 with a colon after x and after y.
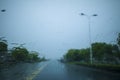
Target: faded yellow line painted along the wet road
x: 36, y: 72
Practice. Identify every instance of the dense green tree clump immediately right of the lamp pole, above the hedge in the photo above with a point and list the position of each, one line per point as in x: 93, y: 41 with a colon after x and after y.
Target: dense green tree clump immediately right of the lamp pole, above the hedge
x: 103, y: 52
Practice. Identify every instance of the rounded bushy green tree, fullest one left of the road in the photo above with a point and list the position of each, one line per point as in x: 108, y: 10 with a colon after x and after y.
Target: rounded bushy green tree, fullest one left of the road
x: 20, y: 54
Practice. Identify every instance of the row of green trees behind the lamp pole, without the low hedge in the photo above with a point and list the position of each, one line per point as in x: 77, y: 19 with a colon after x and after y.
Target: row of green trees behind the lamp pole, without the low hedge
x: 102, y: 53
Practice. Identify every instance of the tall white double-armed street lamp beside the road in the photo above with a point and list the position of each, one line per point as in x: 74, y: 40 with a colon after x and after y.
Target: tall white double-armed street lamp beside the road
x: 89, y: 24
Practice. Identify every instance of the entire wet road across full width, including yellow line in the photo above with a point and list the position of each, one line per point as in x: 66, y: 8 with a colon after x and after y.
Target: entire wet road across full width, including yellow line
x: 54, y: 70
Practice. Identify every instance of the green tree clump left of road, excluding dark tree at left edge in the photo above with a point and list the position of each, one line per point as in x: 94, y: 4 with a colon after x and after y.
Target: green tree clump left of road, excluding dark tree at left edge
x: 22, y: 54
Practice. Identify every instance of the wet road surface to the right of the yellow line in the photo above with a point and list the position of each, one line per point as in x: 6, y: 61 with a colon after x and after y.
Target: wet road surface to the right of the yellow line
x: 59, y: 71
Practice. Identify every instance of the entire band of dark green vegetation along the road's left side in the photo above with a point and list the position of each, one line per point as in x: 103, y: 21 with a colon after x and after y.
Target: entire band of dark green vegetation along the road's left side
x: 17, y: 54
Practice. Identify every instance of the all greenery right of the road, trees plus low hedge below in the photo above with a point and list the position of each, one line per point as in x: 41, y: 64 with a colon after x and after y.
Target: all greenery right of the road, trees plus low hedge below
x: 105, y: 56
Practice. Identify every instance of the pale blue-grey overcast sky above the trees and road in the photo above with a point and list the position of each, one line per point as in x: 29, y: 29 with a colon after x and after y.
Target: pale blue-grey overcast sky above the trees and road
x: 51, y: 27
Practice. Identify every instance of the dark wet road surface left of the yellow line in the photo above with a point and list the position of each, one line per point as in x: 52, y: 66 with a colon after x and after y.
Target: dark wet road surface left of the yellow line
x: 20, y: 71
